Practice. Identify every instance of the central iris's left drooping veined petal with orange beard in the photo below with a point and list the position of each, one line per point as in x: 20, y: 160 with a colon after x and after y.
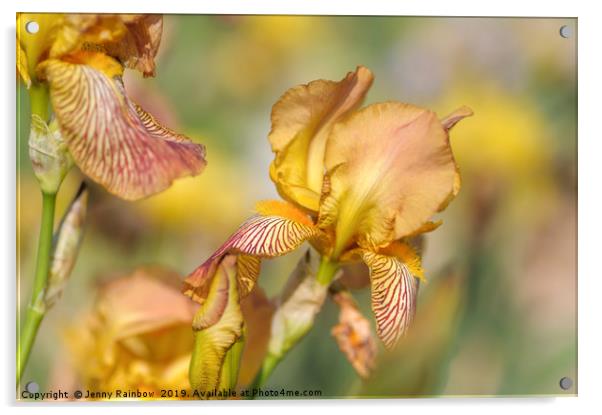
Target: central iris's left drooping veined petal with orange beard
x: 279, y: 229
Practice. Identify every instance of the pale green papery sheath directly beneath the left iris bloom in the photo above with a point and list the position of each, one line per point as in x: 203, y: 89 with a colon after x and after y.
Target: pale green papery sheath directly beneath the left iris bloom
x: 48, y: 153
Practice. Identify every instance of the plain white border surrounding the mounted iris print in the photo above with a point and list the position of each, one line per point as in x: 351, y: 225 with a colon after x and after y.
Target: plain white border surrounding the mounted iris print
x: 590, y: 208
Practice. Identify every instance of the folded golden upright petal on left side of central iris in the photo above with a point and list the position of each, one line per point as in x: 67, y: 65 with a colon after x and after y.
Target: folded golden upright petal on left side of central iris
x: 301, y: 122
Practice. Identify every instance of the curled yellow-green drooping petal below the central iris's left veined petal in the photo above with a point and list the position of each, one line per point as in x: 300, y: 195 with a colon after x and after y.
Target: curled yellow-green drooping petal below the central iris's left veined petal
x: 215, y: 336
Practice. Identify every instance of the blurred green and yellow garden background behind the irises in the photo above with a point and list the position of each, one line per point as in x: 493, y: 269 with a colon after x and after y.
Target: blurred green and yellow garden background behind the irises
x: 498, y: 316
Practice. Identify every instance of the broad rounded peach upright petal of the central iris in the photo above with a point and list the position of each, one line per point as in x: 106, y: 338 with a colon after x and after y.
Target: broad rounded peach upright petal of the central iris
x: 389, y: 167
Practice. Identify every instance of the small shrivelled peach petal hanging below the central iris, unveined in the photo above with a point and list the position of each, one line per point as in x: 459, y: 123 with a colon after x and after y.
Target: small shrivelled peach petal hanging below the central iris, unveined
x: 353, y: 335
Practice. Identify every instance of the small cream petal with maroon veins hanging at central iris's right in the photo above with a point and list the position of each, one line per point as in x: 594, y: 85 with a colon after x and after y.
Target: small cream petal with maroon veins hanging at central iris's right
x: 394, y: 291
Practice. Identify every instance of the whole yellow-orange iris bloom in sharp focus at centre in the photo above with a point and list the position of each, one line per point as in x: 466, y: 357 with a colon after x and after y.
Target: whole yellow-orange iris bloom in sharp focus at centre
x: 357, y: 183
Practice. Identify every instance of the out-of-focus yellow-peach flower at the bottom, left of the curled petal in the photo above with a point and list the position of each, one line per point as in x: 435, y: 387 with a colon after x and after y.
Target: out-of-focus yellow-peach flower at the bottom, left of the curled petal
x: 137, y: 337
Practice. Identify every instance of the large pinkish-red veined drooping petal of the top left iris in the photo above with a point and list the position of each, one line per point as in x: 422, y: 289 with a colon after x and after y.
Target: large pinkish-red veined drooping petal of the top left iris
x: 111, y: 139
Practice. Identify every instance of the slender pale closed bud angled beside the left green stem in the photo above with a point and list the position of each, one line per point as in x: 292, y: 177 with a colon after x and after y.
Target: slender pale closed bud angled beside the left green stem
x: 66, y: 246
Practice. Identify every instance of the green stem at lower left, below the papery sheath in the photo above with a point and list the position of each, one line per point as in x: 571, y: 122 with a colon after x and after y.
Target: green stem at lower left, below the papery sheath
x: 36, y: 308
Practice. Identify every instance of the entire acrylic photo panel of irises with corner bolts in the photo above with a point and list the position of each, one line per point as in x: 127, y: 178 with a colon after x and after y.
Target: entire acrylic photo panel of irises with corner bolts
x: 295, y: 207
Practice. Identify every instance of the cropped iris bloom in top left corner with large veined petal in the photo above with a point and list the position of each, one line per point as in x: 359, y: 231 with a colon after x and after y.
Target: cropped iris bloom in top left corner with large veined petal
x: 79, y: 61
